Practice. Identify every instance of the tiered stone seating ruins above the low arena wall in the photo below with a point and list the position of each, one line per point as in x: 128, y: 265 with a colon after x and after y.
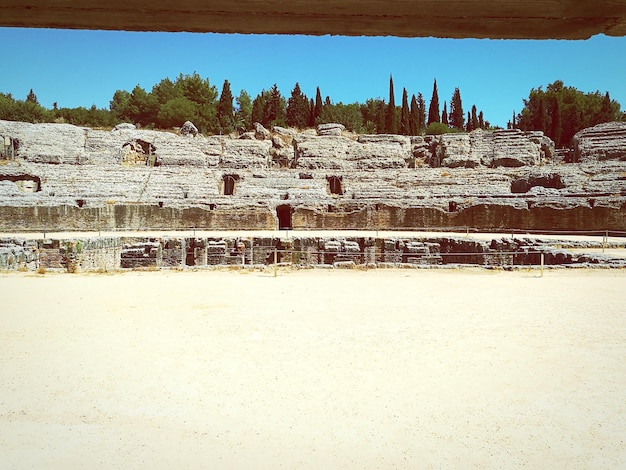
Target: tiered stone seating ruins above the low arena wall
x: 62, y: 177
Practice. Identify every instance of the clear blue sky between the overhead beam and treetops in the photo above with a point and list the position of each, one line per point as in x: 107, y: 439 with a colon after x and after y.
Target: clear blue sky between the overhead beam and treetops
x: 81, y: 68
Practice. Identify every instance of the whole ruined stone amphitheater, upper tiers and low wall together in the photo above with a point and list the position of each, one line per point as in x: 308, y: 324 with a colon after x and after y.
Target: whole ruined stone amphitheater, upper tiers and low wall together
x: 62, y: 178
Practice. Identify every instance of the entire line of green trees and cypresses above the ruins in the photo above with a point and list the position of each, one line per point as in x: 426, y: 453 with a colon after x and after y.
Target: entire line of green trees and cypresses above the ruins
x: 559, y: 111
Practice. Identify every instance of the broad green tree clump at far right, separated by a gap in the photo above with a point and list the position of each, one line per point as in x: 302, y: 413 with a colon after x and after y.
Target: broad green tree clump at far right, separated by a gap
x: 561, y: 111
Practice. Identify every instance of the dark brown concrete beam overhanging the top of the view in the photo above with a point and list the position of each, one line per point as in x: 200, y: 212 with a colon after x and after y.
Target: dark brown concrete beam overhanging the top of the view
x: 533, y: 19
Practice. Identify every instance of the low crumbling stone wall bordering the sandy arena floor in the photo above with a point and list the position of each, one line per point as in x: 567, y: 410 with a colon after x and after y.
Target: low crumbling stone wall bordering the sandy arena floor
x: 102, y: 254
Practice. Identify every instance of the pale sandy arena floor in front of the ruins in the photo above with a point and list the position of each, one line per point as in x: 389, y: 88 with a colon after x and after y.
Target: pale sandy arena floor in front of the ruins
x: 381, y: 369
